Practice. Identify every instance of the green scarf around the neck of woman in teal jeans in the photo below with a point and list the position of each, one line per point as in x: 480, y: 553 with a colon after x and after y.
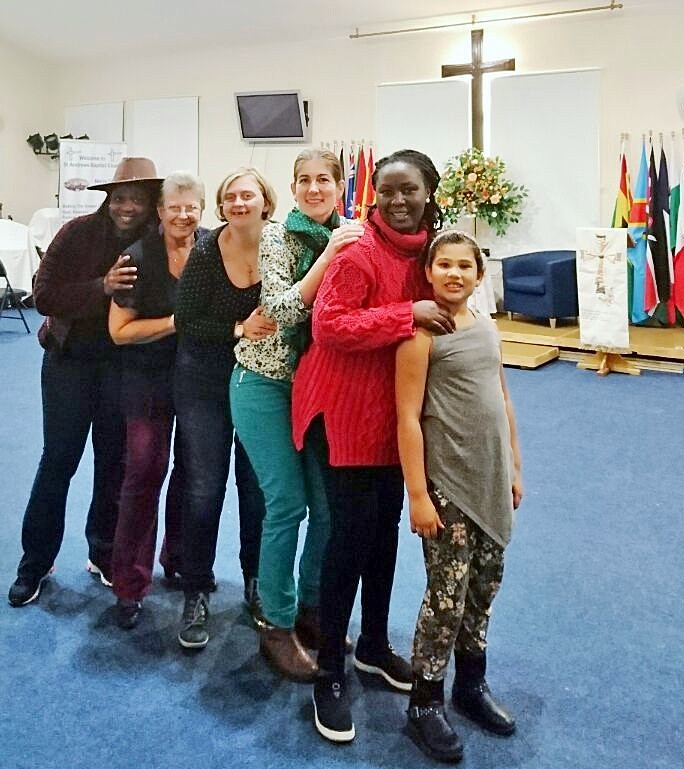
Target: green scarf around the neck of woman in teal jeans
x: 314, y: 238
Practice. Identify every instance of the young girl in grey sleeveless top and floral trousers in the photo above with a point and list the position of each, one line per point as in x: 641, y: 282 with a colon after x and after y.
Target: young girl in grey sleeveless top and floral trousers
x: 461, y: 461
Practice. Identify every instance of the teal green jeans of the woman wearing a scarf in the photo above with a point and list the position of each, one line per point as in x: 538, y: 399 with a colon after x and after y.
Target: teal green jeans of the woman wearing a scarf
x: 292, y: 483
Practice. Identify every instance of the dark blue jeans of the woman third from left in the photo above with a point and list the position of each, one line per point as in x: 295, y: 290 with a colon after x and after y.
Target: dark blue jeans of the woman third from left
x: 204, y: 421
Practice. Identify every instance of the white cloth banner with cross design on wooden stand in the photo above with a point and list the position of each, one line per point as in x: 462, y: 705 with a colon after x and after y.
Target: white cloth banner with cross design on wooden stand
x: 602, y: 289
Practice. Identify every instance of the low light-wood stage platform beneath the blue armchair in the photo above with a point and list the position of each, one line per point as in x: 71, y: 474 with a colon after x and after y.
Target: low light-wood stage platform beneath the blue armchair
x: 529, y: 343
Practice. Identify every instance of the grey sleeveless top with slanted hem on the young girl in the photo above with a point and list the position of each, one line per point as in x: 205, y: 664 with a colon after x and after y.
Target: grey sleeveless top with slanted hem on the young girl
x: 467, y: 439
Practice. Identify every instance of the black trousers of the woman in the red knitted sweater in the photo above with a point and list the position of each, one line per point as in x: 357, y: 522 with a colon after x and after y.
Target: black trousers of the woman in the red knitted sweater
x: 365, y: 509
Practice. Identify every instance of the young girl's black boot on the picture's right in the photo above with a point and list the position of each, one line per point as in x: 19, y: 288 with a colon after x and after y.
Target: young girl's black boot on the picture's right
x: 472, y: 698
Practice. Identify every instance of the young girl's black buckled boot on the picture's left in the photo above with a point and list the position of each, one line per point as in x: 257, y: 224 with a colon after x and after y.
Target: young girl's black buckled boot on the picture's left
x: 427, y: 723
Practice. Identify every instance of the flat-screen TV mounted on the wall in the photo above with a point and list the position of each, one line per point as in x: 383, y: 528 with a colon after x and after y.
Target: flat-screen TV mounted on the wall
x: 272, y: 116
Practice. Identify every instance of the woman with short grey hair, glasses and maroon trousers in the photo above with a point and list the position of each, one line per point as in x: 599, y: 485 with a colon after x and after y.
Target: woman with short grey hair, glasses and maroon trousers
x: 141, y: 318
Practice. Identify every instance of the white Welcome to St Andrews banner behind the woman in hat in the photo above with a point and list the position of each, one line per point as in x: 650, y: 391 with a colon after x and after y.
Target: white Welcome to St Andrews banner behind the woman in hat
x: 82, y: 163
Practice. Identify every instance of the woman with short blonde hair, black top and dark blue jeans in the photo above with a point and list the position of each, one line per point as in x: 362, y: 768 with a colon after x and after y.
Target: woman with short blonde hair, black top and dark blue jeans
x: 217, y: 303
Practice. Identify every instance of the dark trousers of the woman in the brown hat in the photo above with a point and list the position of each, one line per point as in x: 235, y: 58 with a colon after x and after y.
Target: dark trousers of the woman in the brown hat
x: 77, y: 394
